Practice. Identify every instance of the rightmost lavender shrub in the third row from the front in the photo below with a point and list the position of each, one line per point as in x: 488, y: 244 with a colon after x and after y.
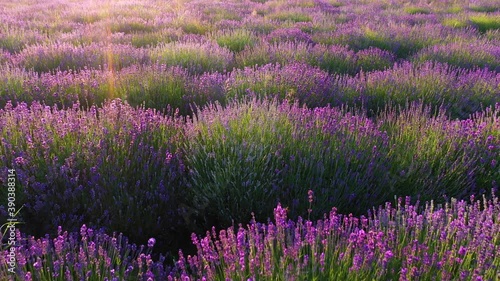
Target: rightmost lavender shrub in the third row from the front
x: 459, y: 91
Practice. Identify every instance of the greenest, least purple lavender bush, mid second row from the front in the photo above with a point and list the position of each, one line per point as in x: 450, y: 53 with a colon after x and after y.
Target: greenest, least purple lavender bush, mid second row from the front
x: 233, y: 163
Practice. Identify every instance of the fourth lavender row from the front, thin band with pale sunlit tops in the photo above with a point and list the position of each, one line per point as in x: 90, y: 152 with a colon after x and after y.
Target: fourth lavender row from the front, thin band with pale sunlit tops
x: 200, y: 54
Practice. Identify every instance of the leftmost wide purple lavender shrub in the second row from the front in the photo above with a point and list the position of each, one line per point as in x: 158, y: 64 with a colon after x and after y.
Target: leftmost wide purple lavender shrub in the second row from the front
x: 132, y: 185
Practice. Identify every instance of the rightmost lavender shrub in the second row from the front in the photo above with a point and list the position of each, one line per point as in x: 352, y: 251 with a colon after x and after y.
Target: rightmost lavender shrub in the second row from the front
x: 458, y: 158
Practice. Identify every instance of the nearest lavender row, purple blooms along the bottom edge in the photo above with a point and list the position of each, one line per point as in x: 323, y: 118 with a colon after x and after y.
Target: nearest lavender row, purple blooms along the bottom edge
x: 403, y: 242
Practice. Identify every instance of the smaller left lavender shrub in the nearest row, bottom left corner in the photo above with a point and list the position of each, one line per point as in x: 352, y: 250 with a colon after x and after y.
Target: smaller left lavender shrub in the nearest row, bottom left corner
x: 90, y: 254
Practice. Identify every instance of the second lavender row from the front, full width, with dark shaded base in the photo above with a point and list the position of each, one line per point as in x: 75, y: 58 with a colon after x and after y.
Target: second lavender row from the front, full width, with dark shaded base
x: 158, y: 176
